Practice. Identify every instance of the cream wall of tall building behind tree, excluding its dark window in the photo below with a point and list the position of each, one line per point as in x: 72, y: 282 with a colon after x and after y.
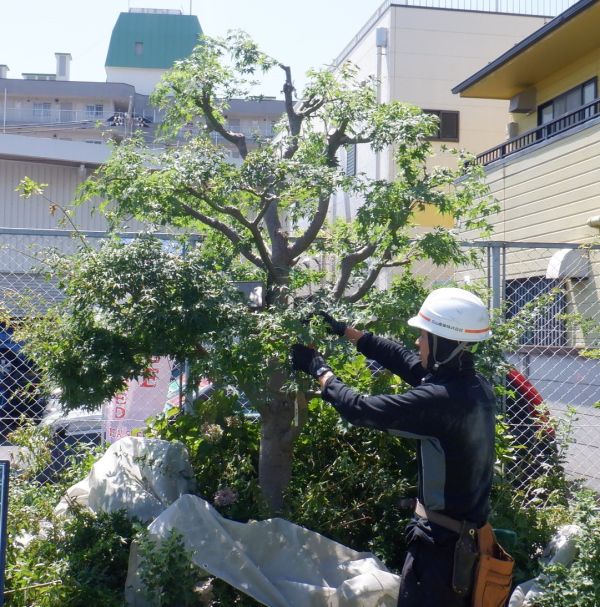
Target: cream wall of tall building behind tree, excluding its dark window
x: 429, y: 51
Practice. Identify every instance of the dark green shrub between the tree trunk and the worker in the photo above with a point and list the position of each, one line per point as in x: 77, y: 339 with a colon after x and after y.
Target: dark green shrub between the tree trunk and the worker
x: 349, y: 488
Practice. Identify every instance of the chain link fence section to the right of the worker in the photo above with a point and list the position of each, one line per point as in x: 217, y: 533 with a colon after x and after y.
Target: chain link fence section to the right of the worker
x: 550, y: 294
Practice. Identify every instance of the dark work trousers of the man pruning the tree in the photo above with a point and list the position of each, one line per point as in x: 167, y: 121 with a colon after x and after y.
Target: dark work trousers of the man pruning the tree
x: 427, y: 576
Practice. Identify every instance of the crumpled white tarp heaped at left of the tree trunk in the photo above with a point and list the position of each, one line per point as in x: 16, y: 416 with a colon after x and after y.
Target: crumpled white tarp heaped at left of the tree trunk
x: 140, y: 475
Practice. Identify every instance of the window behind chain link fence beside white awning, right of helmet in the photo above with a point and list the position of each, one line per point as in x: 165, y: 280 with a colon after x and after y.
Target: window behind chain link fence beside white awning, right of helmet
x: 548, y: 328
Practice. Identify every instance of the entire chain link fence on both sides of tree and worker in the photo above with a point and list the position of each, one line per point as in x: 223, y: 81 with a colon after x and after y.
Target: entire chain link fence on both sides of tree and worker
x: 550, y: 291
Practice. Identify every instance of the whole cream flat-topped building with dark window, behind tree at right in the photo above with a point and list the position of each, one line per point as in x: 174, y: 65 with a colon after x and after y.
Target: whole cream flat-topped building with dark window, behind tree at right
x: 418, y: 50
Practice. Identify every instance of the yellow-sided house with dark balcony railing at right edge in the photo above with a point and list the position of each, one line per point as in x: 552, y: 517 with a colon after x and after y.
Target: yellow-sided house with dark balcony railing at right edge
x: 545, y: 175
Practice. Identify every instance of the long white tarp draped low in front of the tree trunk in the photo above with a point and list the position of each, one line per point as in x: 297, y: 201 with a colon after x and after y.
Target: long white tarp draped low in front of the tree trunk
x: 274, y: 561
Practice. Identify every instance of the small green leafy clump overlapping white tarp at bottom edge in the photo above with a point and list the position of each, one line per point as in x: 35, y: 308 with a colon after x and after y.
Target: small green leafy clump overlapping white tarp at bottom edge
x: 167, y: 572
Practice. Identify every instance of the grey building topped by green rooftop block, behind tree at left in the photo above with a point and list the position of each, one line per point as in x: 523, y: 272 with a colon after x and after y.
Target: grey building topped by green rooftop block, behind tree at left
x: 49, y: 124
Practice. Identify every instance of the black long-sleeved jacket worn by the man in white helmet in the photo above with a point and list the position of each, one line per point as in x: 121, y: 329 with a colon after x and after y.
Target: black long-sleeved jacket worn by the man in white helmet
x: 452, y: 414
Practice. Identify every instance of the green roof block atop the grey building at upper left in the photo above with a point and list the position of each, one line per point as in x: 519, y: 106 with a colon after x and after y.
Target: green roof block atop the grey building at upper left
x: 152, y: 40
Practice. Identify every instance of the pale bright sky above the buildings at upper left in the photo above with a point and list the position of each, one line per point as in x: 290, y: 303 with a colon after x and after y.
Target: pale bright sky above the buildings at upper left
x: 301, y: 34
